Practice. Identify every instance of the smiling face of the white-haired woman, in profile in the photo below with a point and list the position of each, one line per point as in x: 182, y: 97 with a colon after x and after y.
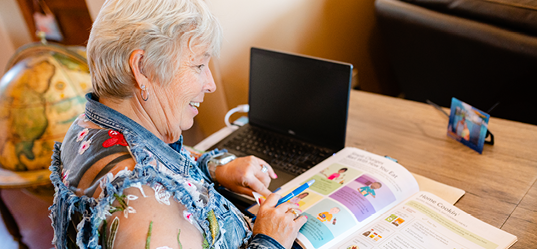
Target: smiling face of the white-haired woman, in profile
x: 186, y: 91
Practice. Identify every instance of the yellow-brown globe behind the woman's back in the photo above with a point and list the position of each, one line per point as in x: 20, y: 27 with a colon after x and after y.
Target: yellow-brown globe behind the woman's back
x: 41, y: 94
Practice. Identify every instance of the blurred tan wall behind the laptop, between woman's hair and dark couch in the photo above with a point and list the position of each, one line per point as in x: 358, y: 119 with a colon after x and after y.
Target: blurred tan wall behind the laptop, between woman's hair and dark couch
x: 341, y: 30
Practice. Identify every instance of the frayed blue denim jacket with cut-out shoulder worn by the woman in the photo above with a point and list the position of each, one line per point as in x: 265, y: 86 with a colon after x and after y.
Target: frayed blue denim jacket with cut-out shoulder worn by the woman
x: 175, y: 168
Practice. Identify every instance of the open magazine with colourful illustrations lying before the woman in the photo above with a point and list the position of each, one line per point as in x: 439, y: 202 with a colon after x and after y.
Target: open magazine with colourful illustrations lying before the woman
x: 362, y: 200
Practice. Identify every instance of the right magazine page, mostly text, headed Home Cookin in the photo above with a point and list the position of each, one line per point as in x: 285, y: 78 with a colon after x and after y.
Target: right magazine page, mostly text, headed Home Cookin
x: 427, y: 221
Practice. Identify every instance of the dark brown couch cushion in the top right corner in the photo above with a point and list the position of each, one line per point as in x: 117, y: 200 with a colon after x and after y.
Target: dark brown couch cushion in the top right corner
x: 516, y: 15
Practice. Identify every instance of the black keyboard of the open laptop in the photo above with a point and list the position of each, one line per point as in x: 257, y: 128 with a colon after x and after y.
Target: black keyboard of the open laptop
x: 281, y: 152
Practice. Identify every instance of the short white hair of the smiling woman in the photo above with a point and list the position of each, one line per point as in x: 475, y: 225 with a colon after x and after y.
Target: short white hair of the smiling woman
x: 159, y: 27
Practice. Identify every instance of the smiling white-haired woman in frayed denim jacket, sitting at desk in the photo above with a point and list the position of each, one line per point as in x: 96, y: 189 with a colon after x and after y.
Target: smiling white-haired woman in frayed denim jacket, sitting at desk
x: 123, y: 179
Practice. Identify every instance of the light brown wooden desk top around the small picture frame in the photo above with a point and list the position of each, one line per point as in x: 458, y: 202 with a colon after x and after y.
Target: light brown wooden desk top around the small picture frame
x: 500, y: 184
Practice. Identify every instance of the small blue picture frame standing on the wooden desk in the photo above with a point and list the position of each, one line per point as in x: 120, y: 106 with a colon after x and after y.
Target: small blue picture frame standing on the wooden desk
x: 468, y: 125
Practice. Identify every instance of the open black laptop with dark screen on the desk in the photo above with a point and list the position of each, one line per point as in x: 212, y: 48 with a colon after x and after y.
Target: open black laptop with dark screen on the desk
x: 297, y: 115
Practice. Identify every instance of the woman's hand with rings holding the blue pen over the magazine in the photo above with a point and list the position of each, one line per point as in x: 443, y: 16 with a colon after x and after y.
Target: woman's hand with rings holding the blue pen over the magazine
x: 279, y: 222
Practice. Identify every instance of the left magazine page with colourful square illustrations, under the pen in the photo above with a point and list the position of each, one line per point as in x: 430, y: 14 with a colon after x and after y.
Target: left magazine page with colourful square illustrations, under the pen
x: 351, y: 188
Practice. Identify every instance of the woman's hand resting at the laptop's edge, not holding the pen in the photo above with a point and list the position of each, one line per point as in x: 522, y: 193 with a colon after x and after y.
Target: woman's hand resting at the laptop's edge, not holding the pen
x: 243, y: 175
